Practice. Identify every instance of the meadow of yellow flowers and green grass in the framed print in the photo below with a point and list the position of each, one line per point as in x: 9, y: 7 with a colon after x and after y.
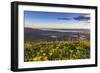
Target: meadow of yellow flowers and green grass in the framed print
x: 56, y: 50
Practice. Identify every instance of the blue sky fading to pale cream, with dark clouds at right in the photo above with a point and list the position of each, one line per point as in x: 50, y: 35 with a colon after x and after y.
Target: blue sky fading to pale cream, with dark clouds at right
x: 34, y: 19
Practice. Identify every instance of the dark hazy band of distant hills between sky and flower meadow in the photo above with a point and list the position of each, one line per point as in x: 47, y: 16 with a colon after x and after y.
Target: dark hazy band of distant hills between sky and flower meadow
x: 49, y: 34
